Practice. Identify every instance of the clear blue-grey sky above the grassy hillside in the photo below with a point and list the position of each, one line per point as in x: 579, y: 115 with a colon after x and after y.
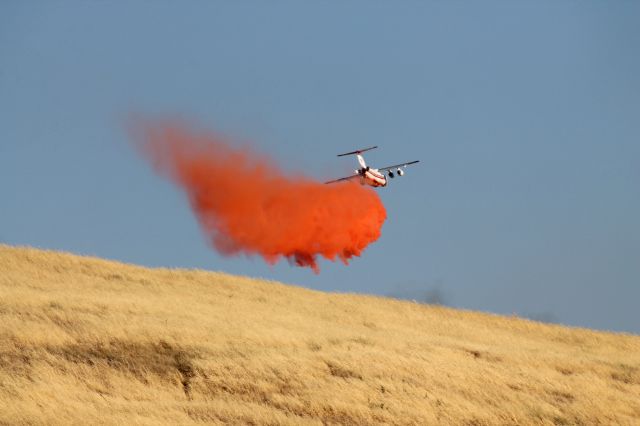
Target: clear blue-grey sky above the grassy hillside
x: 525, y: 116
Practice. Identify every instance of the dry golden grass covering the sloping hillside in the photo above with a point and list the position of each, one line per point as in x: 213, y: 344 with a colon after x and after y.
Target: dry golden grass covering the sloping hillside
x: 89, y: 341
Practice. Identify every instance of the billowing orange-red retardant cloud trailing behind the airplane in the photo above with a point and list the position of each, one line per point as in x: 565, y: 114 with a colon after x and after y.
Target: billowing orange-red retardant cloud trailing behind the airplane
x: 247, y: 205
